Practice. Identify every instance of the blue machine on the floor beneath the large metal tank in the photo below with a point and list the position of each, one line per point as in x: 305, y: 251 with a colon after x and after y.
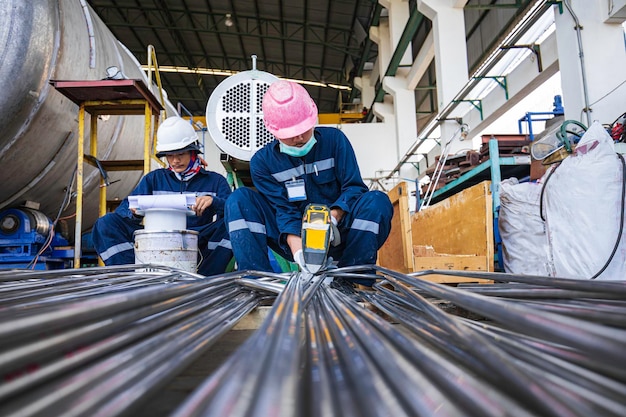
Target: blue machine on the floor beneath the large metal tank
x: 27, y: 240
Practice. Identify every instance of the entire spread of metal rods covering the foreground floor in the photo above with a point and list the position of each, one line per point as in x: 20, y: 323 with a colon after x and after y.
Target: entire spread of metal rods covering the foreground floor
x: 522, y: 346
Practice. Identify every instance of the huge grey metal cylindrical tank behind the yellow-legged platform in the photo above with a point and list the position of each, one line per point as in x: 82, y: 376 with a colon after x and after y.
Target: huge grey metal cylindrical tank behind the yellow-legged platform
x: 47, y: 40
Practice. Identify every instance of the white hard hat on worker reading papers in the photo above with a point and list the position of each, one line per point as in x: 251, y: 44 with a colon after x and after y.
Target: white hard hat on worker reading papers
x: 176, y: 134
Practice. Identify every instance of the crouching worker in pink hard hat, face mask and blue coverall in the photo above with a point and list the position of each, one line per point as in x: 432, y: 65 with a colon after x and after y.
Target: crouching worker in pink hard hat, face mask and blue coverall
x: 304, y: 165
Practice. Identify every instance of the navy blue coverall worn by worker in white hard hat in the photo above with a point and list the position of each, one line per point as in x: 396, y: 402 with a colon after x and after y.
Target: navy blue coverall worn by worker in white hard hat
x: 113, y: 233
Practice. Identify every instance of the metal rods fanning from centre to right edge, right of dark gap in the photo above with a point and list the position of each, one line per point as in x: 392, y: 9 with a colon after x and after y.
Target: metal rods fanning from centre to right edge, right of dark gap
x: 520, y: 360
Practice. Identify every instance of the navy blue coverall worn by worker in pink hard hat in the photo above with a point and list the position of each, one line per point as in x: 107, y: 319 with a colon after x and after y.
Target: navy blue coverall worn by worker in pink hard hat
x: 329, y: 175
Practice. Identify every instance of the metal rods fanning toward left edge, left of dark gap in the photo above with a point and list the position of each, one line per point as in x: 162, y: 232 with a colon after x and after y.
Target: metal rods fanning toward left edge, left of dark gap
x: 95, y: 342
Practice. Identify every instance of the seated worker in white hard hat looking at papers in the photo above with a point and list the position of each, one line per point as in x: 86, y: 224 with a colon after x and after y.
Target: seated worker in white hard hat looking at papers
x: 178, y: 143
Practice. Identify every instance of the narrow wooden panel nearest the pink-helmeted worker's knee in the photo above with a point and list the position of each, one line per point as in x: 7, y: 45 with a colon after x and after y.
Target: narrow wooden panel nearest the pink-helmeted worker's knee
x: 397, y: 252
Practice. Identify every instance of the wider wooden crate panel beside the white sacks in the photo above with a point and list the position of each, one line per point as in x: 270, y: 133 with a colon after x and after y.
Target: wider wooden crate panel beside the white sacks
x: 460, y: 231
